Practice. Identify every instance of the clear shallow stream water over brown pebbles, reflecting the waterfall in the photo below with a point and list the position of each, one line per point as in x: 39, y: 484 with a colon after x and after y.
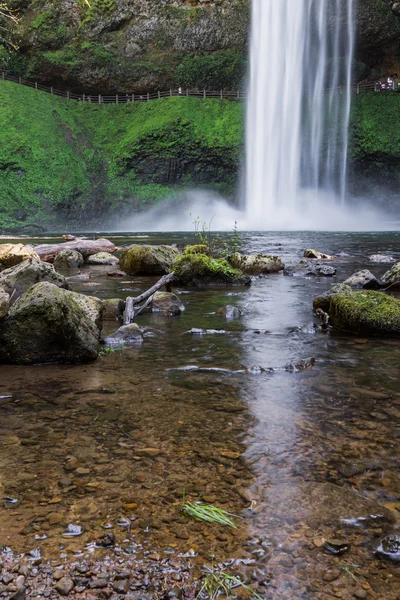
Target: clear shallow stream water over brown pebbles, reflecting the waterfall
x: 293, y: 452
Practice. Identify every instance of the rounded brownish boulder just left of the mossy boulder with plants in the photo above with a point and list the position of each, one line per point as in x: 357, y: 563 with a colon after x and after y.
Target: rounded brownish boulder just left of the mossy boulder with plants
x: 148, y: 260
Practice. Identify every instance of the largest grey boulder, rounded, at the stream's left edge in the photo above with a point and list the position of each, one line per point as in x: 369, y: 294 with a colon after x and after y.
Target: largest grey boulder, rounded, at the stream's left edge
x: 50, y: 324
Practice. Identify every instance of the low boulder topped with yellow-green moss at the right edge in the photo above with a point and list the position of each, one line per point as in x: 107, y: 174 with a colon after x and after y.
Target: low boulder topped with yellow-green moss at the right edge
x: 365, y: 312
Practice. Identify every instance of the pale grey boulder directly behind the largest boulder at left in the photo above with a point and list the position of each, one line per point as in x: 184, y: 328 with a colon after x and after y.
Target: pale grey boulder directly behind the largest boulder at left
x: 20, y: 278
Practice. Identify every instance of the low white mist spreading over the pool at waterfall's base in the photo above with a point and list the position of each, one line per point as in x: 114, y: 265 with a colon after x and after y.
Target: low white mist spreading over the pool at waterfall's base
x: 318, y: 214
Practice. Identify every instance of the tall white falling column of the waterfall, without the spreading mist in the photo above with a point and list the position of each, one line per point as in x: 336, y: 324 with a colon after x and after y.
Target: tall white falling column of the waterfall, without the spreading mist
x: 298, y: 109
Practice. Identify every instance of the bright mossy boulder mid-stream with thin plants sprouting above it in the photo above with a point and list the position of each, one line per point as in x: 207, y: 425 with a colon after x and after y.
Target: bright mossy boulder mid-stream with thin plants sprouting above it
x: 199, y: 270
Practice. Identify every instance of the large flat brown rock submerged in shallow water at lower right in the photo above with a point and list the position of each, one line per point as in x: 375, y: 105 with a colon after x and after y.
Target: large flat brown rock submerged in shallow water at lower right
x: 320, y: 503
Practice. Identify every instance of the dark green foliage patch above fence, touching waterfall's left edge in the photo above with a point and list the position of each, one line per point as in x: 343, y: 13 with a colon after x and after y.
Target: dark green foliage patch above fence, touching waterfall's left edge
x: 223, y: 70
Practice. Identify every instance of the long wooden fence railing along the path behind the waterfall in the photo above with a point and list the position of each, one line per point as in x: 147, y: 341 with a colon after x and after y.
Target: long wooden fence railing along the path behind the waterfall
x: 124, y: 98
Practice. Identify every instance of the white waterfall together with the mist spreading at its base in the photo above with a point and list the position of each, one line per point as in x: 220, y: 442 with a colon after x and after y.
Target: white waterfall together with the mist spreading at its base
x: 297, y: 128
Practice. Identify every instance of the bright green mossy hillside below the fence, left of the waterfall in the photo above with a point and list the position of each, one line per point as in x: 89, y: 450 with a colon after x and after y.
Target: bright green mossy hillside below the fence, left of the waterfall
x: 73, y: 162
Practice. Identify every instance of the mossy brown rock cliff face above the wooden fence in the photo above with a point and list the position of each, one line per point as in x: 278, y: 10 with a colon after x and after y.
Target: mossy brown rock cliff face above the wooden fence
x: 137, y: 45
